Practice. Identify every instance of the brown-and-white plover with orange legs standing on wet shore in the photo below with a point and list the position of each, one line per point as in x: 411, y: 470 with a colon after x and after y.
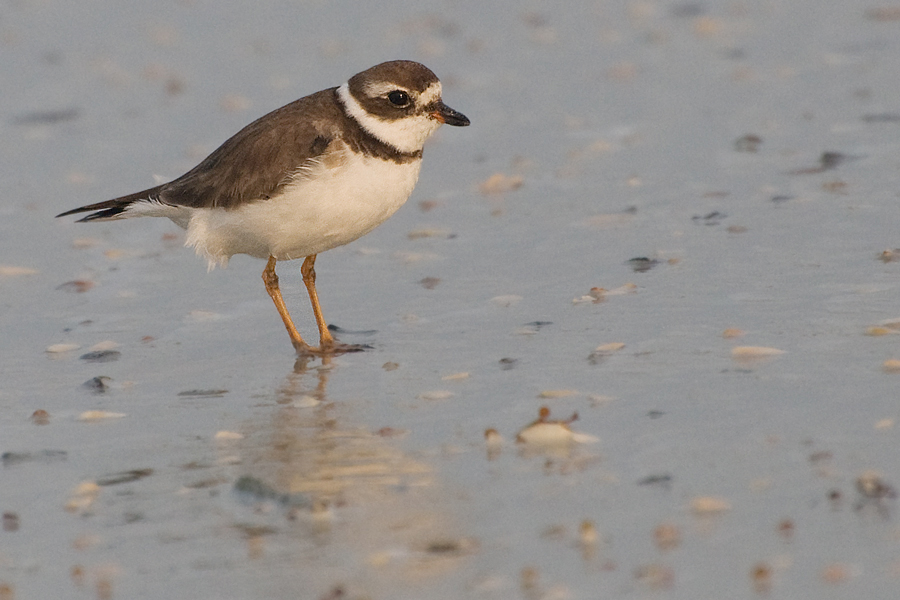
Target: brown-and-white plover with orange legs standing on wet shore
x: 310, y: 176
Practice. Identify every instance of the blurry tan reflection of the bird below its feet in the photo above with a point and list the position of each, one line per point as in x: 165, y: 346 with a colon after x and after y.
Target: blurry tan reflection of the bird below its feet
x: 351, y: 491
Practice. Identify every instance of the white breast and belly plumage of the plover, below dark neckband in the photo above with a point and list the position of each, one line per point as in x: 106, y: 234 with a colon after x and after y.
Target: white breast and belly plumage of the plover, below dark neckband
x: 326, y: 207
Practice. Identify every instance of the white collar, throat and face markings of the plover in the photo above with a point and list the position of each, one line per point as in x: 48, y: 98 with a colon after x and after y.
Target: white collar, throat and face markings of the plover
x: 407, y: 134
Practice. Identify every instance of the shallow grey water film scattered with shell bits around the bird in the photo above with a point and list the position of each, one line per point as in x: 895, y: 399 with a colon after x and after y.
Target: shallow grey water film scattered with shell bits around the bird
x: 602, y: 132
